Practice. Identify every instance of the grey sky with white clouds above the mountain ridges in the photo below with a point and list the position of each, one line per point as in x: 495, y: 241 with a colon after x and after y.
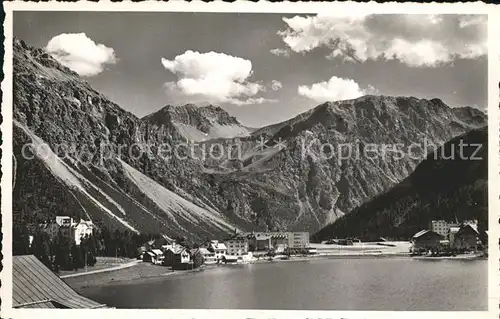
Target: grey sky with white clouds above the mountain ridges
x: 264, y: 68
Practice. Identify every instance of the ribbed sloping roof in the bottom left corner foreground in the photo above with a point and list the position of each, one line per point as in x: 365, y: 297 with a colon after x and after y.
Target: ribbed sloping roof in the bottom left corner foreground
x: 36, y: 286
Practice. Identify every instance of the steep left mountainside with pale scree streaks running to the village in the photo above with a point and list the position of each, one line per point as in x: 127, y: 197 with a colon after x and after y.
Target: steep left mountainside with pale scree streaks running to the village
x: 83, y: 158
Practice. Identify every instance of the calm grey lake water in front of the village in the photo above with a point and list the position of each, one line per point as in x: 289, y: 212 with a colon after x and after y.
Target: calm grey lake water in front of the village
x: 323, y: 284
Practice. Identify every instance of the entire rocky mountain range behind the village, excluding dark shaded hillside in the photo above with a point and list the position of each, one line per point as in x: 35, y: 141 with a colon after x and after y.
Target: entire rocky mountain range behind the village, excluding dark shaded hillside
x: 110, y: 165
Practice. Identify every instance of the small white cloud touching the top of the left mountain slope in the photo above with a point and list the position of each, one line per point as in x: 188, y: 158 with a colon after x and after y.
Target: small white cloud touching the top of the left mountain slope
x: 79, y: 53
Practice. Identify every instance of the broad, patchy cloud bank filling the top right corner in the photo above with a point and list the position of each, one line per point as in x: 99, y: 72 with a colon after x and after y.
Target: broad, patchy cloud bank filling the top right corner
x: 416, y: 40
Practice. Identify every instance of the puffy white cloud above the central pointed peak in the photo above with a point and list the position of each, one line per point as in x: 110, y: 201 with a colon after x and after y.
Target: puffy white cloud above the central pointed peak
x: 213, y: 77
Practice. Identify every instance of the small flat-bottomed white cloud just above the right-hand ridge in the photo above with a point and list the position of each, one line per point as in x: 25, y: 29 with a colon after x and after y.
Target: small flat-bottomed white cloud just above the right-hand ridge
x: 334, y: 90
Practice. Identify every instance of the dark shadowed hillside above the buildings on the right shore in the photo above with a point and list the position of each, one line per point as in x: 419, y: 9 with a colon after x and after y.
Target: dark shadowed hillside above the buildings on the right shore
x: 451, y: 184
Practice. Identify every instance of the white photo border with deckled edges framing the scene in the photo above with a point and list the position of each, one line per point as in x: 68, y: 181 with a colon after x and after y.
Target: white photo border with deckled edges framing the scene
x: 491, y: 10
